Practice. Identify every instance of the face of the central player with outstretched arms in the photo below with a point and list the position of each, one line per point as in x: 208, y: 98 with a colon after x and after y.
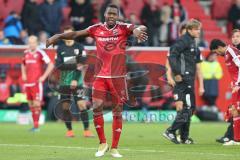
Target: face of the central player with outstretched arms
x: 111, y: 16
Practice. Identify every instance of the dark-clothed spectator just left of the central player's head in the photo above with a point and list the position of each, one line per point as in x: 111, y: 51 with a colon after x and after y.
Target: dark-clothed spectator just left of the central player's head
x: 82, y: 14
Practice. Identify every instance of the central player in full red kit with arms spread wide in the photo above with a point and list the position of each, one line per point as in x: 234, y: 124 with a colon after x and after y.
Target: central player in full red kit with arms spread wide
x: 111, y: 37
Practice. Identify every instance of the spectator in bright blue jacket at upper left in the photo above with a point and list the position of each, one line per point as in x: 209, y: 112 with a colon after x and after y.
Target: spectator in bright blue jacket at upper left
x: 13, y: 27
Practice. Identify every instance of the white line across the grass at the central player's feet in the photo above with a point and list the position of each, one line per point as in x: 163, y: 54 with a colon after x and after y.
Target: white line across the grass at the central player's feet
x: 123, y: 149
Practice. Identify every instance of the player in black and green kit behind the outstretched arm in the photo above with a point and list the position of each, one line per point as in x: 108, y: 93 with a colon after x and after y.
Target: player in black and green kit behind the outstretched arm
x: 69, y: 53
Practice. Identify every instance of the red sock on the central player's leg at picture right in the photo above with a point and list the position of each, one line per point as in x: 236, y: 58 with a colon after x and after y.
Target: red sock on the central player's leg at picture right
x: 116, y: 129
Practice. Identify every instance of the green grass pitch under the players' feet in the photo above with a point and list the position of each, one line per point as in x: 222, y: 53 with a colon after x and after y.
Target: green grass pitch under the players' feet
x: 139, y: 141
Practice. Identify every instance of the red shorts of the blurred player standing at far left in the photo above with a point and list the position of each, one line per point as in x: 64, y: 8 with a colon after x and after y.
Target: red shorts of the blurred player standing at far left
x: 35, y: 92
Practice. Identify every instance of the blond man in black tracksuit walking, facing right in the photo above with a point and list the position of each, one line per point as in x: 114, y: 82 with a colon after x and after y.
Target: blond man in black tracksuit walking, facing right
x: 184, y: 60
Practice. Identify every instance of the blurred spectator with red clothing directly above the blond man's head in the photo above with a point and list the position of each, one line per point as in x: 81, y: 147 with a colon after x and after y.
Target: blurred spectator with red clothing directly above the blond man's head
x: 178, y: 10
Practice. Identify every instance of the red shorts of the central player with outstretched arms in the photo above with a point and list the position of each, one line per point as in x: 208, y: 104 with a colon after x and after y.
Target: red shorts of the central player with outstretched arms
x: 115, y: 87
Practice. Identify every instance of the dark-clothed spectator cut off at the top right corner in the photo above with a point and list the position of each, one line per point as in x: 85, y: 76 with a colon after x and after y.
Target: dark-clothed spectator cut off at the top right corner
x: 234, y: 15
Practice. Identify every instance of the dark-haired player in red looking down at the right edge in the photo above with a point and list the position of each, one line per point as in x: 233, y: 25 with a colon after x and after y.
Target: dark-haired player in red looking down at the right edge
x: 231, y: 56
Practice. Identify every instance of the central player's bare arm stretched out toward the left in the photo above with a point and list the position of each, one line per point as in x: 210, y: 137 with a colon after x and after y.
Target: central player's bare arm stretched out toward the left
x: 68, y: 36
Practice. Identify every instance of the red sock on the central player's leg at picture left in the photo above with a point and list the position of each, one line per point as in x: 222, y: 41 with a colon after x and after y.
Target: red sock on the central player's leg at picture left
x: 99, y: 125
